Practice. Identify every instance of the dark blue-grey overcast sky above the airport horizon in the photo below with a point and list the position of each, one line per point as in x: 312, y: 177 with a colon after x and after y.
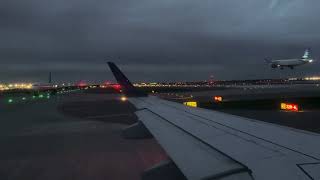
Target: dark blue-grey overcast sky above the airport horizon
x: 156, y: 40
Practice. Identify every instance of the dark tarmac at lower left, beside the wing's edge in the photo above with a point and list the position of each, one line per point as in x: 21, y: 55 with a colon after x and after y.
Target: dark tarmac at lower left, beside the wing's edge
x: 39, y: 142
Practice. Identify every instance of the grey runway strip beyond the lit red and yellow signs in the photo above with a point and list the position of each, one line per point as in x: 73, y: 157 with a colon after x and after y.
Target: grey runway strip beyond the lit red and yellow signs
x: 249, y: 92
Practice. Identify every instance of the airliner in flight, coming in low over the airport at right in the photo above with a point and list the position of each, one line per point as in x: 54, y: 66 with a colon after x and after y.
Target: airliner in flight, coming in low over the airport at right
x: 291, y: 63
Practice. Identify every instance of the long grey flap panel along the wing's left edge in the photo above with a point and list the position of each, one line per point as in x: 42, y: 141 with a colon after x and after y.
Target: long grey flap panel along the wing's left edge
x: 195, y: 158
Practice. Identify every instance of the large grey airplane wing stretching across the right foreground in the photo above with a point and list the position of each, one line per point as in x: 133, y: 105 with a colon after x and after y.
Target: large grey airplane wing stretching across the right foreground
x: 206, y: 144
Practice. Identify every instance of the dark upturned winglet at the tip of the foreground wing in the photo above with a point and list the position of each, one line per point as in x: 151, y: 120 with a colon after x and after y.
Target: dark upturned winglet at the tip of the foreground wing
x: 126, y: 85
